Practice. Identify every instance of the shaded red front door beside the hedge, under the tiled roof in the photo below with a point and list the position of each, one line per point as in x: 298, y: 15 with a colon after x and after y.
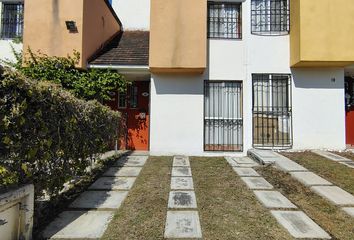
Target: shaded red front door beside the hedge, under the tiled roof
x: 134, y: 107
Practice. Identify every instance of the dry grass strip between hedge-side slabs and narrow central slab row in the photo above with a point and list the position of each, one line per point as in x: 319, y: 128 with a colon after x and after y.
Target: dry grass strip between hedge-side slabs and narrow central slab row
x: 143, y: 213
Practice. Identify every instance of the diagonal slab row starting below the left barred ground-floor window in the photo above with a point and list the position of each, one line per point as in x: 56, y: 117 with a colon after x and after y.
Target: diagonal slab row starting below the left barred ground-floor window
x: 297, y: 223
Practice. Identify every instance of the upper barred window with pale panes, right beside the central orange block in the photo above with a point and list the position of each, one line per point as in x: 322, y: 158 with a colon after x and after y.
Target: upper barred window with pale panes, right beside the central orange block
x: 224, y: 20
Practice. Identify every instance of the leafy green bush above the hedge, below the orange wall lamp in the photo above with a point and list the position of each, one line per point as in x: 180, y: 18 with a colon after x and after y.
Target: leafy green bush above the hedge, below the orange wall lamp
x: 99, y: 84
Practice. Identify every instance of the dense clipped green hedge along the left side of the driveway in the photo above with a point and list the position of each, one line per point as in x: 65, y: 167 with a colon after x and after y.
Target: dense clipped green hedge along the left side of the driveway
x: 47, y: 136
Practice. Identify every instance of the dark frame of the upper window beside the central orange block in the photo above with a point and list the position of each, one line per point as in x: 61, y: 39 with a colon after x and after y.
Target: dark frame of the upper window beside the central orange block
x: 238, y: 21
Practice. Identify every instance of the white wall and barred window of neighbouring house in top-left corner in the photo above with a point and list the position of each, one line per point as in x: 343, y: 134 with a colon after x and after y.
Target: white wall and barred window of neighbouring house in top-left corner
x: 11, y: 28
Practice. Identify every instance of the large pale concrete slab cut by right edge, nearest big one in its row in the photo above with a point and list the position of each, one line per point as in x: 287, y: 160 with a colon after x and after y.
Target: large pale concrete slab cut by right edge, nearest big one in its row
x: 334, y: 194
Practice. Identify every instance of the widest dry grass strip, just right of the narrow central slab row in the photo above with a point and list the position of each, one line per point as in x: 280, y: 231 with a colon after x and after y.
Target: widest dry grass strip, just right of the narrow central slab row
x: 227, y: 208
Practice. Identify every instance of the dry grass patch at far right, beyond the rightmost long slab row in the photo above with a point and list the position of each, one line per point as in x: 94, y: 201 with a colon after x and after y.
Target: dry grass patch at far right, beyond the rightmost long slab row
x: 334, y: 172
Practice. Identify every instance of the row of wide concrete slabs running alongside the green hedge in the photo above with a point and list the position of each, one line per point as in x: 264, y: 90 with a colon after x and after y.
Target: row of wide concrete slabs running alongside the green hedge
x: 89, y: 215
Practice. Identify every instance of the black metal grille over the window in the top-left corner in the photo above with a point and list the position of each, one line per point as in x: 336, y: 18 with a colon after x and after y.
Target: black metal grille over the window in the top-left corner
x: 11, y: 20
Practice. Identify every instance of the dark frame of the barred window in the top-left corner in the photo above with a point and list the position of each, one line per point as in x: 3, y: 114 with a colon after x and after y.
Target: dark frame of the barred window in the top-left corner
x: 19, y: 26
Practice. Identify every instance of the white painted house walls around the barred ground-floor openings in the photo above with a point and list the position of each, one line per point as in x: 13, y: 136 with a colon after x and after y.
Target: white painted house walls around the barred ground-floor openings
x: 177, y: 101
